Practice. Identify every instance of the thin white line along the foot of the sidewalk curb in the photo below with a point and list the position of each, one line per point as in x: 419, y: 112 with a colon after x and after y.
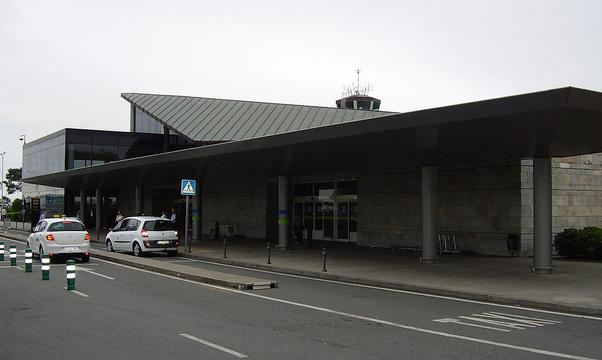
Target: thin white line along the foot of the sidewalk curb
x: 402, y: 291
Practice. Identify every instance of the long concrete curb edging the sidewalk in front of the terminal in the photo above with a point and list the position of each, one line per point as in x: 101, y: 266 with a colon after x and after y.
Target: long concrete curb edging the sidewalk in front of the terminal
x: 579, y: 310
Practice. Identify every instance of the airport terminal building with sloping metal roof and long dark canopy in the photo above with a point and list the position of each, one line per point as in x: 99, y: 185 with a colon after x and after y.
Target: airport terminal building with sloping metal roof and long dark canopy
x: 518, y: 168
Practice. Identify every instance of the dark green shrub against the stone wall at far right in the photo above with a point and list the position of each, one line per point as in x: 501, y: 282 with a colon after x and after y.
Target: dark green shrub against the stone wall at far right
x: 585, y: 243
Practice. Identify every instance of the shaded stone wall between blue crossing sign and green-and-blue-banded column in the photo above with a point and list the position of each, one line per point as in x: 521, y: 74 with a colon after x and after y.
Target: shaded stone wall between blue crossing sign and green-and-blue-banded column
x: 242, y: 203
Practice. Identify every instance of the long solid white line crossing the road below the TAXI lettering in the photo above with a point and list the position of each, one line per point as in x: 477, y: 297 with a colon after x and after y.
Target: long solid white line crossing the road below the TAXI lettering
x: 365, y: 318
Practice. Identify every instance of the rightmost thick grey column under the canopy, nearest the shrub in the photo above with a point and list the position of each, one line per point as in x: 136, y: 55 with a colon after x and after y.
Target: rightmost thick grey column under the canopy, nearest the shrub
x: 542, y: 215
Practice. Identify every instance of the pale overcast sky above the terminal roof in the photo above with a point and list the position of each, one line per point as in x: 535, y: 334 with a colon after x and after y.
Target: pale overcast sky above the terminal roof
x: 65, y: 63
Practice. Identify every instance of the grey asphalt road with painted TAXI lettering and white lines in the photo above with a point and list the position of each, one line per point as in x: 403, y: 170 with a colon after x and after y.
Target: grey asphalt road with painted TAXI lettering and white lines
x: 120, y: 312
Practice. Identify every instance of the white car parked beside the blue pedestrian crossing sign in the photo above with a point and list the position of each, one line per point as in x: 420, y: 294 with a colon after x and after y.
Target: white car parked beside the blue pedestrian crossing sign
x: 142, y: 234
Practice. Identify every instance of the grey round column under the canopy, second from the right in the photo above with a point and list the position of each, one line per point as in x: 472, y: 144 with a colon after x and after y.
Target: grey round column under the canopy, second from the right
x: 429, y: 215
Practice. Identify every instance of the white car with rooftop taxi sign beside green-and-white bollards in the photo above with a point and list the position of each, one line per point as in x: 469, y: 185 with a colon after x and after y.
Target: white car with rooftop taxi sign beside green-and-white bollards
x: 60, y: 237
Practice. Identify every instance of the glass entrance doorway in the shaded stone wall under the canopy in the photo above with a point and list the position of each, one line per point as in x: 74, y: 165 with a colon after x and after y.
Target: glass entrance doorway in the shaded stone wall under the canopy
x: 327, y: 209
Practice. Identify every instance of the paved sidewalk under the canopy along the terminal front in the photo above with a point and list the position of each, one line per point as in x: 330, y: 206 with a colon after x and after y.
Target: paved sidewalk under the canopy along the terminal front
x: 573, y: 287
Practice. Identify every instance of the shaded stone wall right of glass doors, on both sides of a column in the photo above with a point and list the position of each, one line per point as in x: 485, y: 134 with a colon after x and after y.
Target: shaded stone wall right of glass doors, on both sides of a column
x: 481, y: 205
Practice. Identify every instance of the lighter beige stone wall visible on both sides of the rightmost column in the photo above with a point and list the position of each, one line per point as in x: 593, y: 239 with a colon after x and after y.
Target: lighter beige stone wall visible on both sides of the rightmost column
x: 576, y: 195
